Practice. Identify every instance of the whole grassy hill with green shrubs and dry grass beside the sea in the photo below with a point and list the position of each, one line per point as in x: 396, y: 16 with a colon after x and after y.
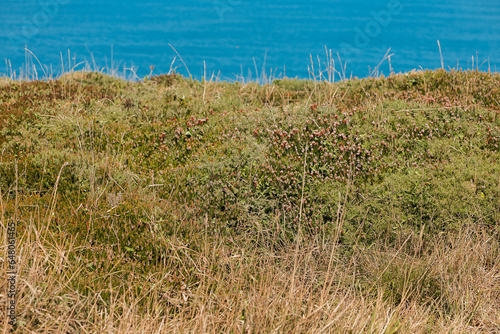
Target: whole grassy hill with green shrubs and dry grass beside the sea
x: 173, y: 205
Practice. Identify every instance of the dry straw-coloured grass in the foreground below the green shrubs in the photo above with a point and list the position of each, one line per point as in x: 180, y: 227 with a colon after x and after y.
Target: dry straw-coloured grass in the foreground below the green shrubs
x: 450, y: 284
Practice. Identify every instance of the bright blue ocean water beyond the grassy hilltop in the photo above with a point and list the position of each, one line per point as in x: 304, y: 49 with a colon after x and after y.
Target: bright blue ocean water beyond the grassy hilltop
x: 240, y: 38
